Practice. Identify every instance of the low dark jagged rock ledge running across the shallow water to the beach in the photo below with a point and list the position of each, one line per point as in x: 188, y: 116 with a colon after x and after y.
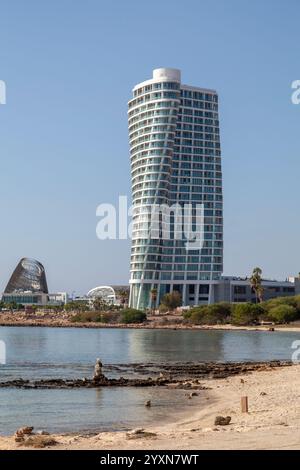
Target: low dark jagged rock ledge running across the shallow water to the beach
x: 180, y: 375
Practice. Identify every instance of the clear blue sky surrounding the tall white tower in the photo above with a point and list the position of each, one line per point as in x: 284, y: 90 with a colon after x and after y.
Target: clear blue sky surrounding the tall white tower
x: 70, y: 66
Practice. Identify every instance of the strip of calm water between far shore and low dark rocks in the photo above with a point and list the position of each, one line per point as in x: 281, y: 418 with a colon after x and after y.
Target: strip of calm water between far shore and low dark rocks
x: 75, y: 349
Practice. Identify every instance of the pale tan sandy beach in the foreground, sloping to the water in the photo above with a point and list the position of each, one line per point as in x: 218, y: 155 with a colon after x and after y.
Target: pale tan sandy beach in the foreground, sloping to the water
x: 273, y: 420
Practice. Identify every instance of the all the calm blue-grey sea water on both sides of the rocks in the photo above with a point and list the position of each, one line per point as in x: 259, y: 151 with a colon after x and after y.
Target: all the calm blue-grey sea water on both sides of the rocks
x: 35, y: 353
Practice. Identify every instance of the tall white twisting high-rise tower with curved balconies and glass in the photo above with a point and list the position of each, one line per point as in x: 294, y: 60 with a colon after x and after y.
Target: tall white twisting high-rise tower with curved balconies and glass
x: 175, y: 161
